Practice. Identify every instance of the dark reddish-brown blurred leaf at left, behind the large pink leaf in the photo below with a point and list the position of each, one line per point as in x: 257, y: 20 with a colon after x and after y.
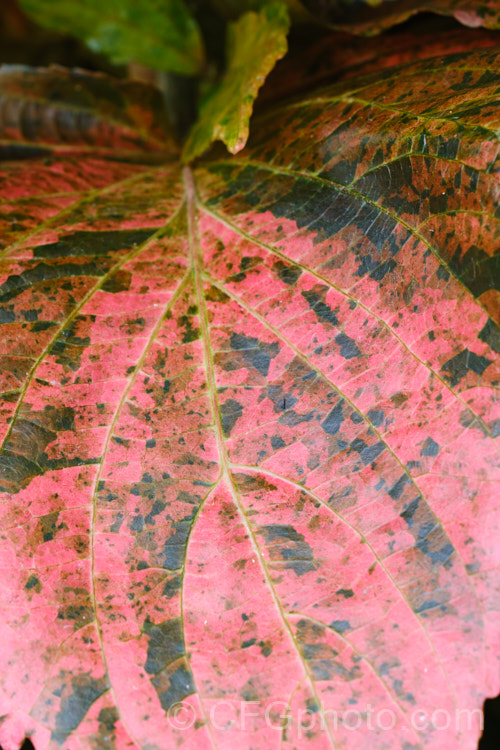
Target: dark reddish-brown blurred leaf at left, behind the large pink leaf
x: 55, y: 109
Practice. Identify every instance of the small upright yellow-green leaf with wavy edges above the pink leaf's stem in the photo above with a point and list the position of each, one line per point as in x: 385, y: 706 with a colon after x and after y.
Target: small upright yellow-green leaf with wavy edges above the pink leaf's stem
x: 255, y: 42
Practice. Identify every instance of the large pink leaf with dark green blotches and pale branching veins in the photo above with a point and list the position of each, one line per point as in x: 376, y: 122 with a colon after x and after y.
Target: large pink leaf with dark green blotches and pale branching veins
x: 250, y: 431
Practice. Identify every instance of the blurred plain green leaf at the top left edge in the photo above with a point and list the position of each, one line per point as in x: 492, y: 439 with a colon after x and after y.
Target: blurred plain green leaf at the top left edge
x: 158, y: 33
